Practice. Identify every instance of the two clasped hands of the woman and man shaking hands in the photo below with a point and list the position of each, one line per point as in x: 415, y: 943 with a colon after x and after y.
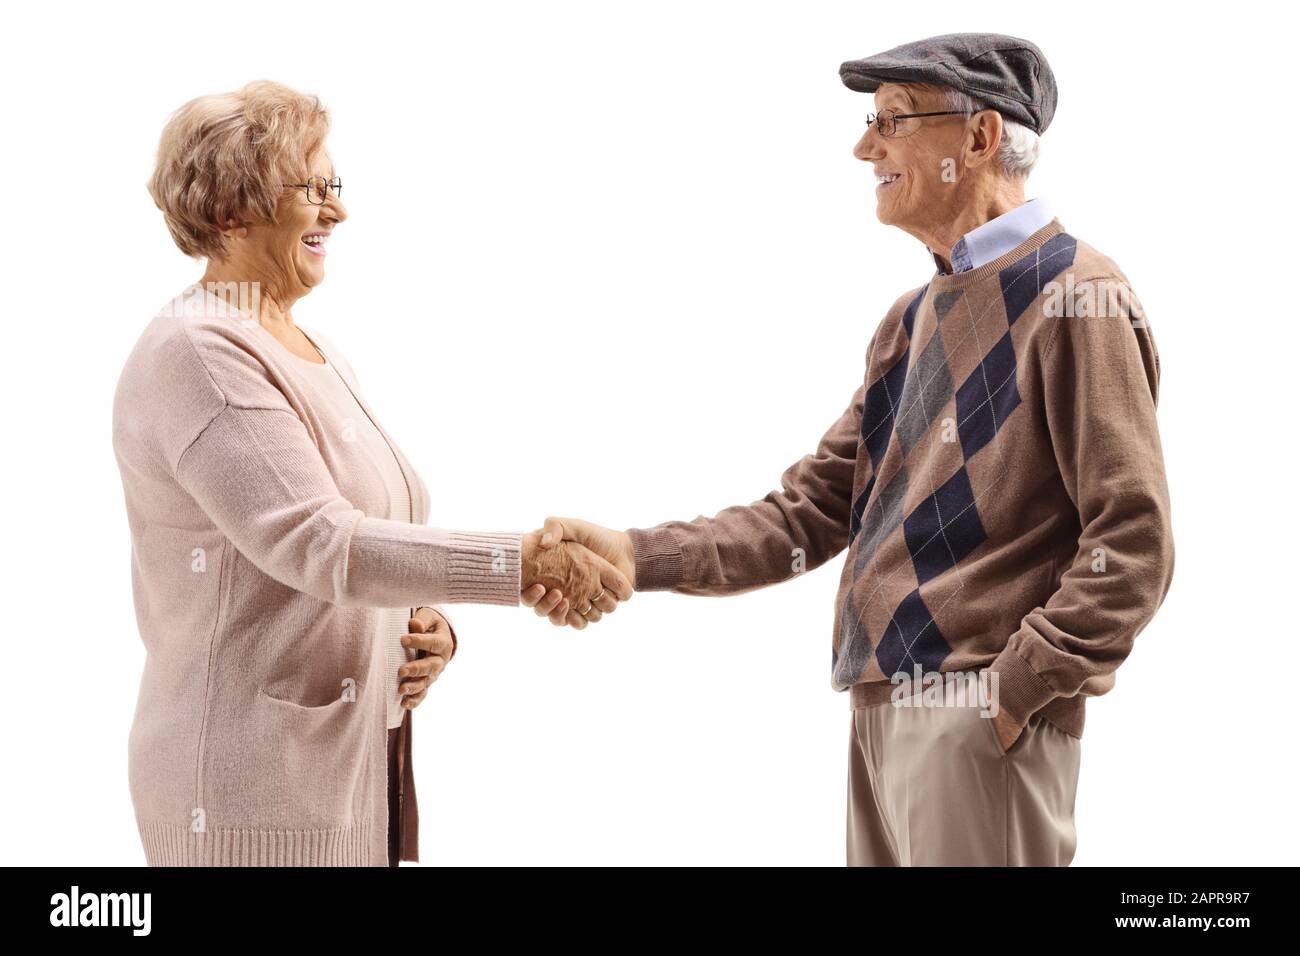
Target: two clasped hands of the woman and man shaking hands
x: 575, y: 573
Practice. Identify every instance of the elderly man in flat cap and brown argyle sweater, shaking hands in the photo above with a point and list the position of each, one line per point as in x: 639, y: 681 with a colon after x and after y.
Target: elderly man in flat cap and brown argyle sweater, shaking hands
x: 998, y: 482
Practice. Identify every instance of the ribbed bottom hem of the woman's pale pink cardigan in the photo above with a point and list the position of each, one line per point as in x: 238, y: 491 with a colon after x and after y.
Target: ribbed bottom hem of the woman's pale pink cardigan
x: 175, y: 845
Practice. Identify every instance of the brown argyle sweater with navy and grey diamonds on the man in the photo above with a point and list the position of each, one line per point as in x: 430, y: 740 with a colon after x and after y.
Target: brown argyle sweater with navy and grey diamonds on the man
x: 998, y: 482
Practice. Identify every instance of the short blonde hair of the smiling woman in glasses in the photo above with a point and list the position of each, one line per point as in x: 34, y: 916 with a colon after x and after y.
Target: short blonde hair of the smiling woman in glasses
x: 226, y: 157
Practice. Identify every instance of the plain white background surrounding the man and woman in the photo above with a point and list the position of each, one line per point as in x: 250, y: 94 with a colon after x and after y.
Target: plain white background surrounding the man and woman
x: 618, y: 262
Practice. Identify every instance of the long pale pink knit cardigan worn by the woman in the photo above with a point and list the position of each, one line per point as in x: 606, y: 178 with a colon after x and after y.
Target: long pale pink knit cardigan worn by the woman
x: 259, y: 577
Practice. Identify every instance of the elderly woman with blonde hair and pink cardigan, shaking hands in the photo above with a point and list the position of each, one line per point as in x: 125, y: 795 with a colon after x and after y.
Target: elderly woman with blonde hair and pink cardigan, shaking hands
x: 280, y: 551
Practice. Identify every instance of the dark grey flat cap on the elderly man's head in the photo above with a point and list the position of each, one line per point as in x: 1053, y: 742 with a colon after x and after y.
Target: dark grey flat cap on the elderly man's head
x: 1003, y: 73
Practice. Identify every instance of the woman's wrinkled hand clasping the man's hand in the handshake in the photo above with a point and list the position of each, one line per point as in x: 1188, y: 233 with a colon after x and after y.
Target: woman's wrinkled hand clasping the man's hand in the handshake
x: 570, y: 583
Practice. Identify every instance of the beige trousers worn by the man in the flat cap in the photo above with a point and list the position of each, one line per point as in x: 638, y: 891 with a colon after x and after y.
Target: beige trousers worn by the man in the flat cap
x: 931, y: 788
